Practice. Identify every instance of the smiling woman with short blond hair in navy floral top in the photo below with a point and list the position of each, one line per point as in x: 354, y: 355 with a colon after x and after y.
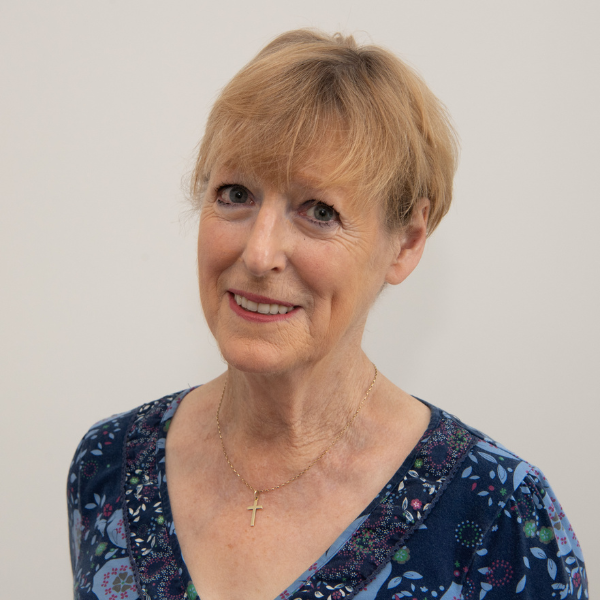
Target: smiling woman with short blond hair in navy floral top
x: 302, y: 472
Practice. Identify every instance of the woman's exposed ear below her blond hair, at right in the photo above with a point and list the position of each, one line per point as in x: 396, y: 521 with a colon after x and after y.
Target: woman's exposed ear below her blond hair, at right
x: 409, y: 244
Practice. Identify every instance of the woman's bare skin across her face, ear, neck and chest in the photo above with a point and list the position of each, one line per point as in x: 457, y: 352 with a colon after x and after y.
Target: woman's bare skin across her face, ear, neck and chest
x: 292, y: 384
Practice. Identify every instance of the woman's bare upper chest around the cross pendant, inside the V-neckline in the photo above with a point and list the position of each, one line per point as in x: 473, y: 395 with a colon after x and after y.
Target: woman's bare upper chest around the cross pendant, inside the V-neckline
x: 294, y: 525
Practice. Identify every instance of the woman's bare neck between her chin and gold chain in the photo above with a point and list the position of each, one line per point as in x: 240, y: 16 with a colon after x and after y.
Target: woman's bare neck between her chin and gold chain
x: 292, y: 415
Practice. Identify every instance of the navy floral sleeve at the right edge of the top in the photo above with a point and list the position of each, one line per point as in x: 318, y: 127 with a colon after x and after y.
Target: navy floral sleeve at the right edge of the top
x: 530, y: 552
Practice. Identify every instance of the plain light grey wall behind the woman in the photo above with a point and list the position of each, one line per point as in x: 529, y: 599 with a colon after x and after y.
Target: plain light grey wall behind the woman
x: 102, y: 104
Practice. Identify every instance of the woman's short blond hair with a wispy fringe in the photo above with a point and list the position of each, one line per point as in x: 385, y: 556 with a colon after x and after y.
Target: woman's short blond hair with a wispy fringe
x: 306, y: 93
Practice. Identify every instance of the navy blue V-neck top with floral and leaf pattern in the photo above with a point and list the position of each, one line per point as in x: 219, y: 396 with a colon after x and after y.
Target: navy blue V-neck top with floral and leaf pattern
x: 462, y: 519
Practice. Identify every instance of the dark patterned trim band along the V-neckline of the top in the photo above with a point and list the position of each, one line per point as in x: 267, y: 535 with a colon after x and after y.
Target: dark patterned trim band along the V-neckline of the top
x: 391, y: 513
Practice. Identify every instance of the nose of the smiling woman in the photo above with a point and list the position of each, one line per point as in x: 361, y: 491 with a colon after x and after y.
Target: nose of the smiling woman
x: 265, y: 250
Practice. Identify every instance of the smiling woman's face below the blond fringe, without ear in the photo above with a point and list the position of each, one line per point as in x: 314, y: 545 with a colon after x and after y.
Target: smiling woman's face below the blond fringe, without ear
x: 287, y: 276
